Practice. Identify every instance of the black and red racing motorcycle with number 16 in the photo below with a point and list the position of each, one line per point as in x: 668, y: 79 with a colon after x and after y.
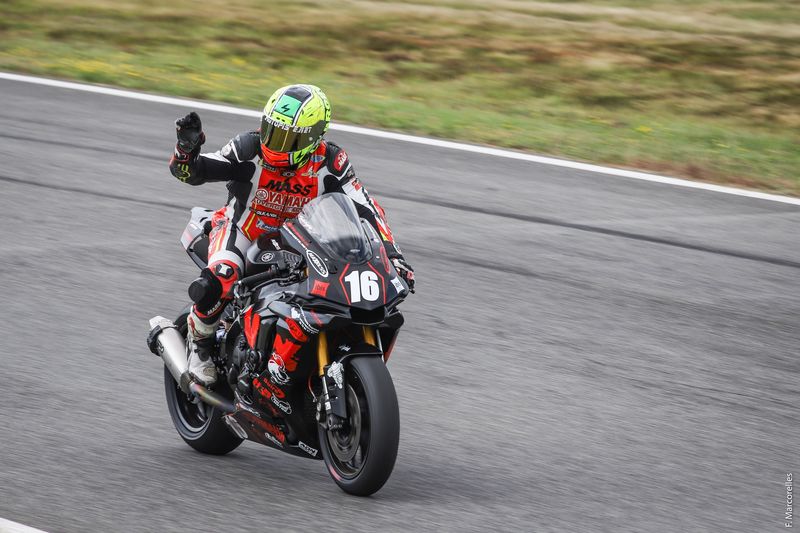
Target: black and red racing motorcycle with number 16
x: 329, y: 275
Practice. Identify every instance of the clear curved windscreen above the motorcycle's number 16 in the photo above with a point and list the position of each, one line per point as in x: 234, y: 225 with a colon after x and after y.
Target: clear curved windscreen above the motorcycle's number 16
x: 333, y: 222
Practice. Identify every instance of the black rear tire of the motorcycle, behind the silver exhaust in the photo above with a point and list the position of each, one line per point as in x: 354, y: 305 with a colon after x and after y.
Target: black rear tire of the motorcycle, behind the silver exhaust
x: 199, y: 425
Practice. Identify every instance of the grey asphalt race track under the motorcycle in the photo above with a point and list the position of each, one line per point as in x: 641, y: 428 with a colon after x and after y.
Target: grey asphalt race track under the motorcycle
x: 584, y: 352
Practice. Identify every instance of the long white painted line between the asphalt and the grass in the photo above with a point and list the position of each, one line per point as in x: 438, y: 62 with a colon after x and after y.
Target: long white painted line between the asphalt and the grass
x: 485, y: 150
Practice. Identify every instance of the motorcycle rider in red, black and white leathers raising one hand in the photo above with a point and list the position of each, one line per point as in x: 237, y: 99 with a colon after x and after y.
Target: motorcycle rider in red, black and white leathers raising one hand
x: 271, y: 174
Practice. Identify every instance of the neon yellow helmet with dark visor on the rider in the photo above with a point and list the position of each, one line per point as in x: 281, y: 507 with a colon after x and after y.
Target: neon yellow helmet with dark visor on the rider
x: 292, y: 125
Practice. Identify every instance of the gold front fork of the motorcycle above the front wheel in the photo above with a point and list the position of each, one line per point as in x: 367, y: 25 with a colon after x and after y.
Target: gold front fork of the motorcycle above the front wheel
x: 332, y: 375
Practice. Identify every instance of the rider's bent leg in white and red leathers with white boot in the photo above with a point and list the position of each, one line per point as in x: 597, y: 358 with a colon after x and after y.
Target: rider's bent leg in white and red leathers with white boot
x: 227, y: 247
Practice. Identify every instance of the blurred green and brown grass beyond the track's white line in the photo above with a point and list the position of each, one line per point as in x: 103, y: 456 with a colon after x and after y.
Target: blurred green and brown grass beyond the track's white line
x: 706, y: 89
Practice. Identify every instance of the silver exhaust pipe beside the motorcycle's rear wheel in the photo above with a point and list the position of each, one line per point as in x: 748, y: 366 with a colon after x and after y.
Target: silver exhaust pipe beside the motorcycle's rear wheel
x: 165, y: 341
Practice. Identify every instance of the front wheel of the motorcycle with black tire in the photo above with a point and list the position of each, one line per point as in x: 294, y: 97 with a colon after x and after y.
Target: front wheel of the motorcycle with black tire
x: 360, y: 456
